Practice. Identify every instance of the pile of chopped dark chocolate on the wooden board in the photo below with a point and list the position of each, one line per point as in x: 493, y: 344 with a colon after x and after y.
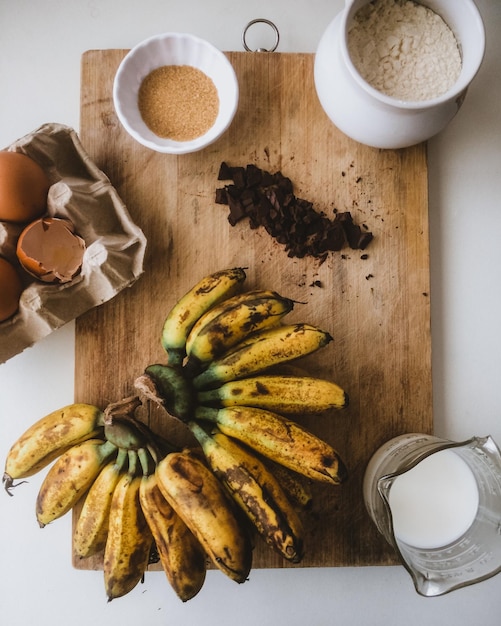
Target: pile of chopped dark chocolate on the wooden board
x: 268, y: 200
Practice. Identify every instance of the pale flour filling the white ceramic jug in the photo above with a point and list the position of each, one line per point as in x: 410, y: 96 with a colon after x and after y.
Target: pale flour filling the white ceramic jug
x: 404, y: 49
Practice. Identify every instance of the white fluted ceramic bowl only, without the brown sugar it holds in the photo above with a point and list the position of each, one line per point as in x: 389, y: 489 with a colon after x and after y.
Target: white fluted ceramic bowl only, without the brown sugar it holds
x: 173, y: 49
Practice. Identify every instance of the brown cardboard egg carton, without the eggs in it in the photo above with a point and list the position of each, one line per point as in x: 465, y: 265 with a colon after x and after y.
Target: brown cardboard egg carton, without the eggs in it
x: 115, y: 246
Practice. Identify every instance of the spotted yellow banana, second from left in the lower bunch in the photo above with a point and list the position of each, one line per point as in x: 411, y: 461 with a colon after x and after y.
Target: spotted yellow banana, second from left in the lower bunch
x: 70, y: 477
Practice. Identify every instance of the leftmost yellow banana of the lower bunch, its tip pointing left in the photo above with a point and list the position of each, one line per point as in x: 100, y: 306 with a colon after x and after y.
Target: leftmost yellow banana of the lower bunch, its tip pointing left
x: 49, y: 437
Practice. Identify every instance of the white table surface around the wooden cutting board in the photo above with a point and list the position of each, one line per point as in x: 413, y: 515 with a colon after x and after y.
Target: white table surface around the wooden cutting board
x: 41, y: 43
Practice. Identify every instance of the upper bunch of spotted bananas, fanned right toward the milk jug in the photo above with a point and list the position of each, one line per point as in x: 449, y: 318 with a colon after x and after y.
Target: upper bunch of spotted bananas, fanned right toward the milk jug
x: 225, y: 379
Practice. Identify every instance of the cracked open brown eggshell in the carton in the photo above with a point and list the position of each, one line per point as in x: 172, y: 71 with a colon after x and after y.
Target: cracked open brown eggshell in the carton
x: 49, y: 250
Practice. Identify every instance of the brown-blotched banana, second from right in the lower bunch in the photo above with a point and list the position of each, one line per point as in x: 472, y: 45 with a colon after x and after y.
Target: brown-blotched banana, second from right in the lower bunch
x: 181, y: 554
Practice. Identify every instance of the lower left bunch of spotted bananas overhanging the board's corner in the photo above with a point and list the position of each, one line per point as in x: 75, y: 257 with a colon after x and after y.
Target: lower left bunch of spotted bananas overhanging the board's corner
x: 137, y: 497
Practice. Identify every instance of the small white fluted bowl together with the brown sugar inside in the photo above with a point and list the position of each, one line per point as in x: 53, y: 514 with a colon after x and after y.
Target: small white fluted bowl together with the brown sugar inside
x: 212, y: 94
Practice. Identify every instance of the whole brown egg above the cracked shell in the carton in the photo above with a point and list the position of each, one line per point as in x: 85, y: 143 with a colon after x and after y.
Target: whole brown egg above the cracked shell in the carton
x: 23, y: 188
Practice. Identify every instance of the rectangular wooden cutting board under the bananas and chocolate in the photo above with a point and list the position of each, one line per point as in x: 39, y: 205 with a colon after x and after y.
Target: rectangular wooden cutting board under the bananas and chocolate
x: 376, y: 304
